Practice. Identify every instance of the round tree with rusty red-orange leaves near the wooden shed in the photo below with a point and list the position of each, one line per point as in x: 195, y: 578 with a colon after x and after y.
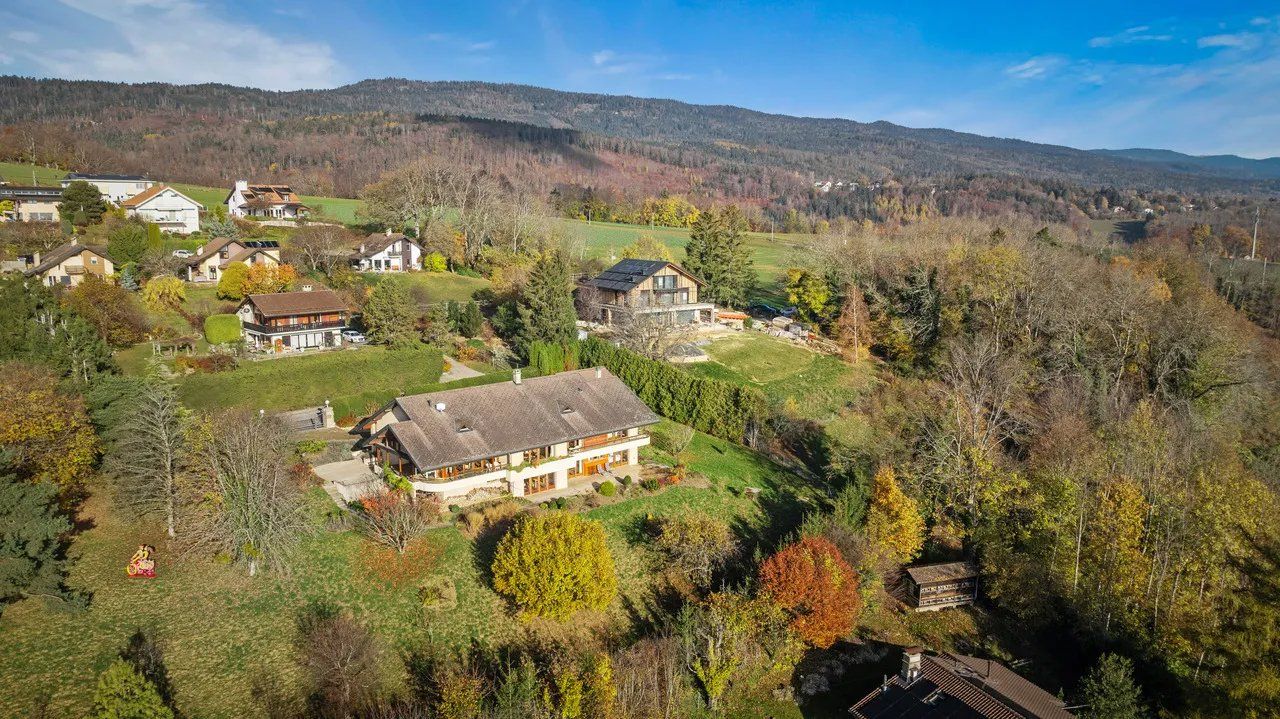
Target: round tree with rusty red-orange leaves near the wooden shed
x: 813, y: 583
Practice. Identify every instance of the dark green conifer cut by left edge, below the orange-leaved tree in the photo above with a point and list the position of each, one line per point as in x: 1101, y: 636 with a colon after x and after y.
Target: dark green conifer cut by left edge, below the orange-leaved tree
x: 31, y: 533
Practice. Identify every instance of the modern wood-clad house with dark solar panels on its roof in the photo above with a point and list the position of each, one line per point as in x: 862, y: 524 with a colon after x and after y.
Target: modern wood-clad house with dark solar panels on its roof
x: 652, y: 287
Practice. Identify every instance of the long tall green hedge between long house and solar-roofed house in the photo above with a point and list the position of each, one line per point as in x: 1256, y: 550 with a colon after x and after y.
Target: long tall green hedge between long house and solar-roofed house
x: 716, y: 407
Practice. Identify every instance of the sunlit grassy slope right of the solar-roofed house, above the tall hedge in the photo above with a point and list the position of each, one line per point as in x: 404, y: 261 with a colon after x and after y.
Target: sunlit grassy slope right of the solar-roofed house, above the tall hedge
x: 812, y: 386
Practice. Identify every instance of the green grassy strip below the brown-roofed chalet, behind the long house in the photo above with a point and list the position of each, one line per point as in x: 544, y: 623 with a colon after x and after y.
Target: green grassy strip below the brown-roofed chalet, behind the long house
x: 351, y: 379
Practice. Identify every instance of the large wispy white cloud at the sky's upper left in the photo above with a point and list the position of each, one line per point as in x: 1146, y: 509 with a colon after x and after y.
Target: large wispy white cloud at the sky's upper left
x: 184, y: 43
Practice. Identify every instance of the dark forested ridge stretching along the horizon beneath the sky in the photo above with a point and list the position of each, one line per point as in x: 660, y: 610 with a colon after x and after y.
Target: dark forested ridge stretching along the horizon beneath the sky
x: 825, y: 148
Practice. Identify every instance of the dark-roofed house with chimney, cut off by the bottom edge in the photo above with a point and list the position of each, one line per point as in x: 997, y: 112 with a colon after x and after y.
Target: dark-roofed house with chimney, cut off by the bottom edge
x: 958, y: 688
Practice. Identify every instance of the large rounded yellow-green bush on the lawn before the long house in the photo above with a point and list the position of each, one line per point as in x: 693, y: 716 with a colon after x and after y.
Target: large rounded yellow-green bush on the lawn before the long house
x: 555, y: 565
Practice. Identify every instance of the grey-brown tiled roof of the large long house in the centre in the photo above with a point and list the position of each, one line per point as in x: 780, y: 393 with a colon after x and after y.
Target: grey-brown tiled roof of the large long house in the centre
x: 505, y: 418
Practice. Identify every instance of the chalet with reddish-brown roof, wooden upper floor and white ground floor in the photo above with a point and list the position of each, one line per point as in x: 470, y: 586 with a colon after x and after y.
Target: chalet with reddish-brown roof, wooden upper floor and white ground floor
x: 294, y: 320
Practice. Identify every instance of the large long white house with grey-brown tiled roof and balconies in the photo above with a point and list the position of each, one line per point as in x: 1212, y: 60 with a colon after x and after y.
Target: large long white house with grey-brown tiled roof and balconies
x: 519, y: 437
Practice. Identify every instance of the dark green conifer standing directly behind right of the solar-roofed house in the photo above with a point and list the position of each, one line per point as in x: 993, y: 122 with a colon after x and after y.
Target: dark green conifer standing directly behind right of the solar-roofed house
x: 717, y: 253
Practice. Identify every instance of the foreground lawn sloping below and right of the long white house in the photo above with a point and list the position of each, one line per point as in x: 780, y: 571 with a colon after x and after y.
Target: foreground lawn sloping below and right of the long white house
x: 222, y: 630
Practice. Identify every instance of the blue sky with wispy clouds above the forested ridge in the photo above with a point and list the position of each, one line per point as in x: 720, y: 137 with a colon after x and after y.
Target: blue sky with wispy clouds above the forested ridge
x: 1196, y: 77
